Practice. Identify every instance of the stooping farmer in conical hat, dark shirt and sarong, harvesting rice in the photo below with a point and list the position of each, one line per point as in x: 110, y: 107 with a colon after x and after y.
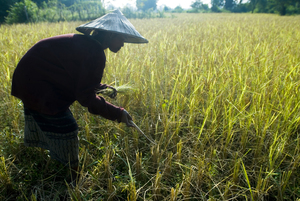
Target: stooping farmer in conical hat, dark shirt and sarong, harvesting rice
x: 59, y: 70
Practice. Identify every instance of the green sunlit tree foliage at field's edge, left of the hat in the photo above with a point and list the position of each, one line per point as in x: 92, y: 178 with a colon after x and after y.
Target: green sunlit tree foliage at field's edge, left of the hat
x: 54, y: 10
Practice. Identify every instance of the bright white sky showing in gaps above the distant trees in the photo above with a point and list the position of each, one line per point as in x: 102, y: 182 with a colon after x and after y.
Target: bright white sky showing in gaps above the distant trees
x: 169, y: 3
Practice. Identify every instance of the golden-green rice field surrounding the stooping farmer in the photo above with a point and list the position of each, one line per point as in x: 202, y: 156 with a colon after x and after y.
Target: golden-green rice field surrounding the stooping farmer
x: 219, y: 94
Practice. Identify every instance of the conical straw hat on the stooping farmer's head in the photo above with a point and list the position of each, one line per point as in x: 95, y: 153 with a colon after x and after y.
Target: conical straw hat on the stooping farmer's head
x: 114, y: 22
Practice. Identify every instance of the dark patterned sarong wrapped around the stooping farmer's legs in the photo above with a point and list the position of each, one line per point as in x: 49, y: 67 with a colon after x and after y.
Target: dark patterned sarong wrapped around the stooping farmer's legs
x: 56, y: 133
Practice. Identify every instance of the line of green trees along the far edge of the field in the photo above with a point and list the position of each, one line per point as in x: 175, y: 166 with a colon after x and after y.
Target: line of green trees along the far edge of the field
x: 20, y: 11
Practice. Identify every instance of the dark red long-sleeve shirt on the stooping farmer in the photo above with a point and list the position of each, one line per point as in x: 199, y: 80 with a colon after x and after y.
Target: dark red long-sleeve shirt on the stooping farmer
x: 59, y: 70
